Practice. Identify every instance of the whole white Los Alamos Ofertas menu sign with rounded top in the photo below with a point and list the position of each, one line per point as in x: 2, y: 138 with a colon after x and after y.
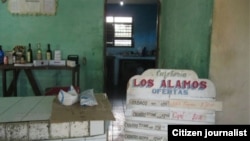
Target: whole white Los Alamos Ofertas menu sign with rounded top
x: 160, y: 97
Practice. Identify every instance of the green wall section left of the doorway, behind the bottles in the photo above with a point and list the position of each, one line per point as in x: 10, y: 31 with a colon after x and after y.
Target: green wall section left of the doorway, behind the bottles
x: 77, y: 28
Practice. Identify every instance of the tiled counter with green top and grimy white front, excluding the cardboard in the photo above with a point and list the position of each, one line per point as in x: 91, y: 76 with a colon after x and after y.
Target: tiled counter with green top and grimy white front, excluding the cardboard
x: 28, y: 118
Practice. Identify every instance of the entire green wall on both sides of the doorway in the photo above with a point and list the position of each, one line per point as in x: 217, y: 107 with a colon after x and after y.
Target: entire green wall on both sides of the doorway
x: 77, y: 28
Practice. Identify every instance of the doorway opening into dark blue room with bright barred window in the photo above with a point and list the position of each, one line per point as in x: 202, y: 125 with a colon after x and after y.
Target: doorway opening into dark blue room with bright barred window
x: 122, y: 62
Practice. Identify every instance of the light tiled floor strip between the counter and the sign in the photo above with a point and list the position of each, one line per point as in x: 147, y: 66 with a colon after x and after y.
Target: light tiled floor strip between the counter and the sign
x: 117, y: 97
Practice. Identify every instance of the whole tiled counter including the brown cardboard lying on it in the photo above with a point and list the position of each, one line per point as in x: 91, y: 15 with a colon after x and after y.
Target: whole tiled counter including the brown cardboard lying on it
x: 38, y: 118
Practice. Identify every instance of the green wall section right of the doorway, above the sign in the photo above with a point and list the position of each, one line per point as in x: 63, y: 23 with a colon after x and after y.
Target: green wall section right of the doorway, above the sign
x: 185, y: 28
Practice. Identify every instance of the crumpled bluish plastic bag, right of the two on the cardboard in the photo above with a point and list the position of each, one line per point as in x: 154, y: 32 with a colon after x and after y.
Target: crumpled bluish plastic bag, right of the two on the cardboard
x: 87, y: 98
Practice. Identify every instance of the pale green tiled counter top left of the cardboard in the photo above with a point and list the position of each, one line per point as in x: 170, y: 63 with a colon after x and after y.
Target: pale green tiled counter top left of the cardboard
x: 16, y: 109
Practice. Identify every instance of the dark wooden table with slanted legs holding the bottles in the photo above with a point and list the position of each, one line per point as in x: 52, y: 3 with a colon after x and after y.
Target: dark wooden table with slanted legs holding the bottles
x: 12, y: 89
